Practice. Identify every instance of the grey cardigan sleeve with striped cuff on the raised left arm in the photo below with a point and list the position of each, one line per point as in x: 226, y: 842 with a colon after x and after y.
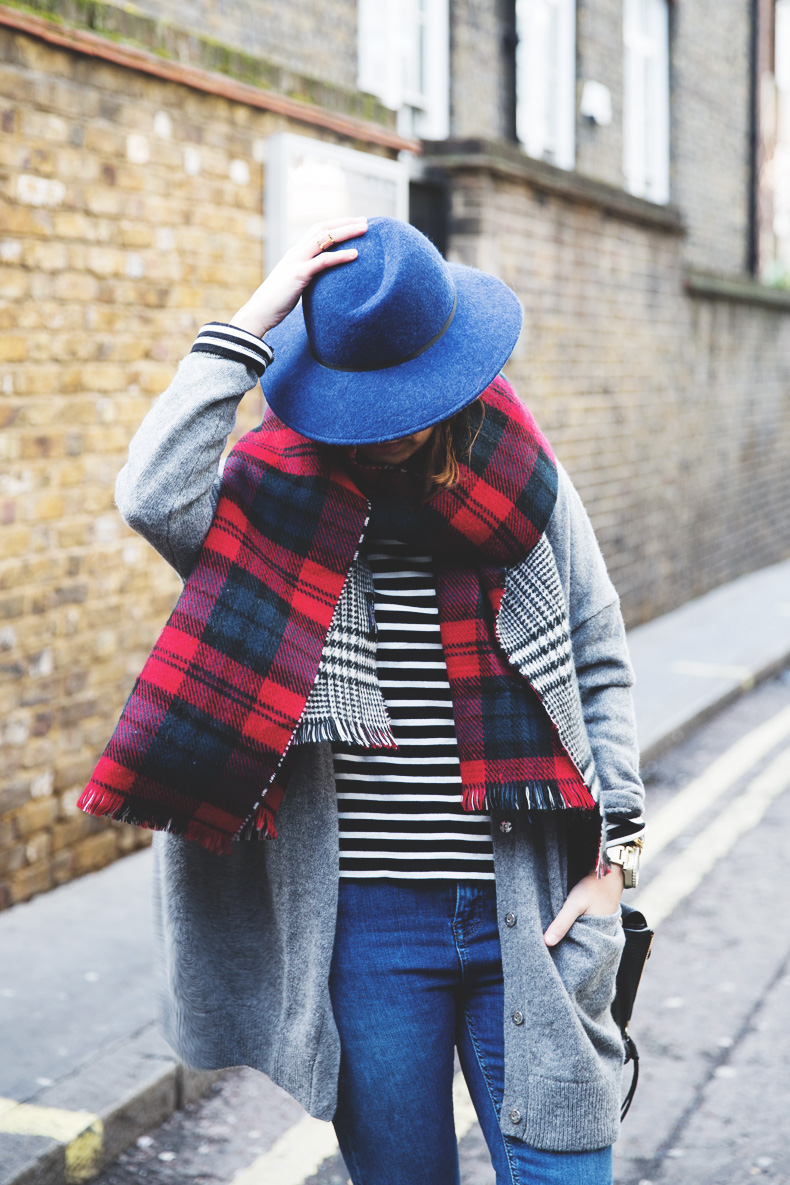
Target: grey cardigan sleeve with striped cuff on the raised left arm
x: 170, y: 486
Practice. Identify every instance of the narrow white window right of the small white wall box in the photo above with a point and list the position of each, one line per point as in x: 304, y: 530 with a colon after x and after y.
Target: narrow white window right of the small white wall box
x: 646, y: 99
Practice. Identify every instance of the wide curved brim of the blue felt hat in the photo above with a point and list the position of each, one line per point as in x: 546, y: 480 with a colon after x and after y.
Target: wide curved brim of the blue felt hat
x: 370, y: 407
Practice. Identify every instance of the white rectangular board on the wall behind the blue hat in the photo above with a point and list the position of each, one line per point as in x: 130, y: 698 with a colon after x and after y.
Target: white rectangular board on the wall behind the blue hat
x: 311, y: 182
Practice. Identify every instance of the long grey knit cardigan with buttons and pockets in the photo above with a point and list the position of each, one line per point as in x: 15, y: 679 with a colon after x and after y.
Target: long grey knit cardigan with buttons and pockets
x: 247, y: 939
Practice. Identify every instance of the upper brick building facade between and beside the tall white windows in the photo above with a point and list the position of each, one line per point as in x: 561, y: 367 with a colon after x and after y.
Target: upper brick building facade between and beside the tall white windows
x: 710, y: 120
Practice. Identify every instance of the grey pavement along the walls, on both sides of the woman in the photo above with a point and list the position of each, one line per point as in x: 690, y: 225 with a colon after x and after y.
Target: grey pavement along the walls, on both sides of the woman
x: 85, y: 1071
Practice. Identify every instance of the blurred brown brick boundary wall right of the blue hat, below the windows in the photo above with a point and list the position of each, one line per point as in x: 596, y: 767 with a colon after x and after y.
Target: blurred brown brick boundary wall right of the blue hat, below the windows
x: 672, y: 413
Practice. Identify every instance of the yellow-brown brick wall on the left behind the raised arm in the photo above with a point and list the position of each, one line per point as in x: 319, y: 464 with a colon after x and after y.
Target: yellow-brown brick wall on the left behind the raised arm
x: 131, y: 213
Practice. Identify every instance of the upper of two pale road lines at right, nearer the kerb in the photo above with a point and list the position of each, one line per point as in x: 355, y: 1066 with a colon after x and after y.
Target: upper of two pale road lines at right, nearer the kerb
x: 696, y: 798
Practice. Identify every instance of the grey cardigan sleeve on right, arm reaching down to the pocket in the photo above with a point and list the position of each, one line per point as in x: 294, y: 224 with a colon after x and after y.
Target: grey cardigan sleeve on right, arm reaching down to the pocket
x: 602, y: 663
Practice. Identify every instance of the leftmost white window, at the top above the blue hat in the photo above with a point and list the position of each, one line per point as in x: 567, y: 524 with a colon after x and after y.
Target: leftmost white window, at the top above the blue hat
x: 404, y: 52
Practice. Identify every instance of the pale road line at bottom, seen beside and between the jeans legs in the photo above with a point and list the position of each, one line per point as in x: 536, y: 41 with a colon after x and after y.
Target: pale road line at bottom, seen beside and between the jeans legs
x: 303, y: 1150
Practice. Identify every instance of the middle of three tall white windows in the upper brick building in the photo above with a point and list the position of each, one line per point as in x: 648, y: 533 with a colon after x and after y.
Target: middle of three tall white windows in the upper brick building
x: 545, y: 79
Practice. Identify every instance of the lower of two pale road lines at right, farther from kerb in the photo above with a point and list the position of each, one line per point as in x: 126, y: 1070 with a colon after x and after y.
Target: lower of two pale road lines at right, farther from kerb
x: 688, y: 870
